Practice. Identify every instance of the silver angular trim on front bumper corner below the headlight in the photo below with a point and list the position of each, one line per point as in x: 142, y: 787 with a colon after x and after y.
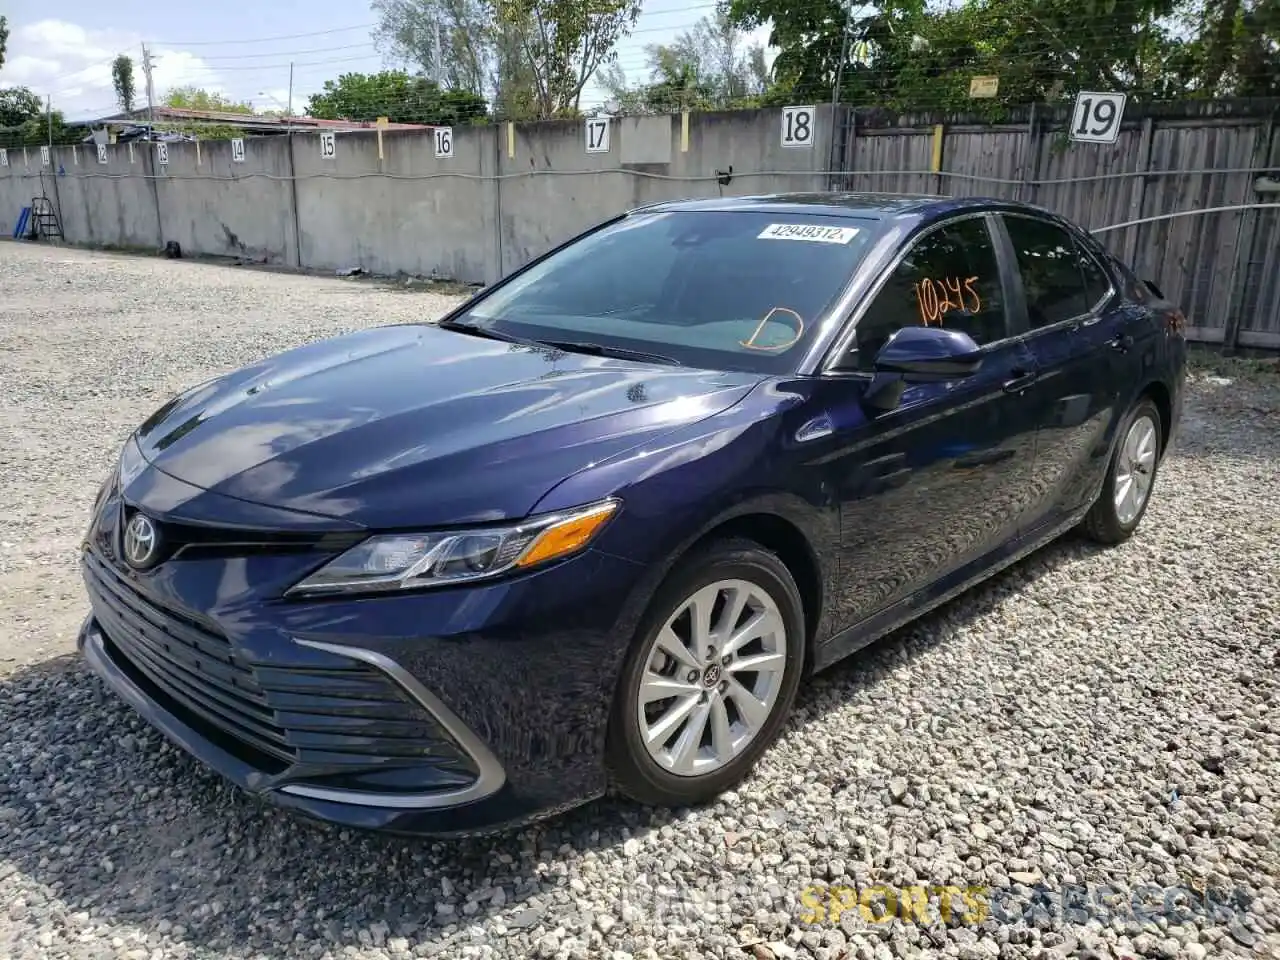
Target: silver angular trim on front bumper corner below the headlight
x: 491, y: 774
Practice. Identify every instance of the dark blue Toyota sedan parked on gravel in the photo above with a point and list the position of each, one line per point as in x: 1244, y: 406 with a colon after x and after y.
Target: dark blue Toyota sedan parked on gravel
x: 601, y: 520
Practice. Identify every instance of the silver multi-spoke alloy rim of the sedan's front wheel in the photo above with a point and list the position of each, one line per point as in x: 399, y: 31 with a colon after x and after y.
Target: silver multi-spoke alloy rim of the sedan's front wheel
x: 712, y: 678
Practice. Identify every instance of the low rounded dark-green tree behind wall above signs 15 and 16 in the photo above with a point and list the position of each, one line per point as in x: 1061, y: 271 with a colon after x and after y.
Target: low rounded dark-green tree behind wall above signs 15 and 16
x: 397, y: 97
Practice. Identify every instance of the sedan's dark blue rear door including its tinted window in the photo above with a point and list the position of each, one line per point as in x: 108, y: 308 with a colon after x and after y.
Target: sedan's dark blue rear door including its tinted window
x: 1078, y: 337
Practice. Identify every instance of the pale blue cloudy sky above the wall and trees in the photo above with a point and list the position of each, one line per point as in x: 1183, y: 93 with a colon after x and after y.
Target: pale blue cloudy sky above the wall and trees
x: 66, y: 51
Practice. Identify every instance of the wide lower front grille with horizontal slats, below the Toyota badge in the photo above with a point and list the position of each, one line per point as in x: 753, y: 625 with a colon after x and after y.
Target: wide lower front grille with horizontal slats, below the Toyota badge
x: 326, y: 725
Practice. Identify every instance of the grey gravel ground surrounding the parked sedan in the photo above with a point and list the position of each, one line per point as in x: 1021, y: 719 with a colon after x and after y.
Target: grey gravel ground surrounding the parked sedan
x: 1087, y: 723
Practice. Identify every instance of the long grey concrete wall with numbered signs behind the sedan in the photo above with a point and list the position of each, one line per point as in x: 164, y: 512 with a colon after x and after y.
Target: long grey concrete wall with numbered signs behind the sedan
x: 508, y: 195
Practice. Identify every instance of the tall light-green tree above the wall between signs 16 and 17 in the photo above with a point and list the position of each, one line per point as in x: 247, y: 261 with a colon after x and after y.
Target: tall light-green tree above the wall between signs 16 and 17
x: 566, y: 43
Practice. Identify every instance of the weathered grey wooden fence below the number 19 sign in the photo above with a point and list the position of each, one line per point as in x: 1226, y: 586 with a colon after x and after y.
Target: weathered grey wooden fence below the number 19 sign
x: 1171, y: 159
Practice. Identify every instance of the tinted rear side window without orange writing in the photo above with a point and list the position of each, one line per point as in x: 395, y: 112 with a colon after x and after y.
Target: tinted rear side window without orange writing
x: 1050, y: 266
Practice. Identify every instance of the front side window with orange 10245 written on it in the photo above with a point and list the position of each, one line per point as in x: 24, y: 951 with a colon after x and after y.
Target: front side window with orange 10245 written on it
x: 950, y: 278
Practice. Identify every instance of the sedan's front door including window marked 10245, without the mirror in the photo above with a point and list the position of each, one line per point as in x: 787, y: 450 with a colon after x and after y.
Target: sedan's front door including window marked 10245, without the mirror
x: 943, y: 479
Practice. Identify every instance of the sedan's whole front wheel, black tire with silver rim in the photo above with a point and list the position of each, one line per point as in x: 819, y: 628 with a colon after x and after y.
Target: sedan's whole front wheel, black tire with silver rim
x: 725, y: 753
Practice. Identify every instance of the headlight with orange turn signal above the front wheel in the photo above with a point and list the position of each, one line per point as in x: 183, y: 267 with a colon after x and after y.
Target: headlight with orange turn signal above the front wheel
x: 405, y: 561
